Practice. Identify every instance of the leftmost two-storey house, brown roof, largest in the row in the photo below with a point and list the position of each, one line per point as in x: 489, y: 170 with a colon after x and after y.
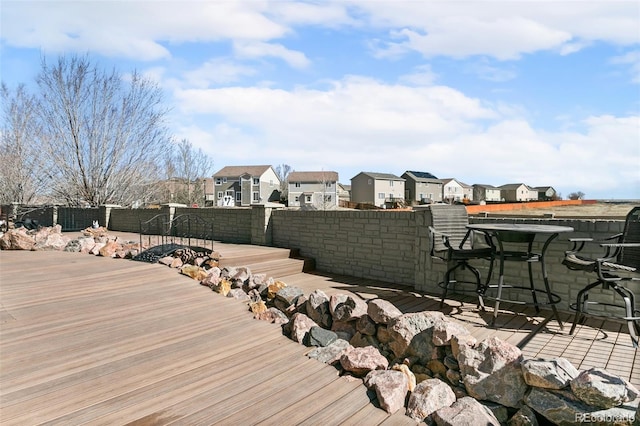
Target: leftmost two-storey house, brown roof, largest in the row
x: 238, y: 186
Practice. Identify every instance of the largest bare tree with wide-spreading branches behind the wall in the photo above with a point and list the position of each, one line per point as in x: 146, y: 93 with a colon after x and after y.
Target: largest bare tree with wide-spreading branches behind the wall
x: 104, y: 133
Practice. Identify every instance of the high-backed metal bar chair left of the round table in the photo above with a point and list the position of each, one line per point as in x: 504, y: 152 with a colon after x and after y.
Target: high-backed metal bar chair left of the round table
x: 454, y: 244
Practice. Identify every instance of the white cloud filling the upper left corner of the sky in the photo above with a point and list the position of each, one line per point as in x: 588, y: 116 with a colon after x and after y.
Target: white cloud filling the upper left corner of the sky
x: 134, y: 29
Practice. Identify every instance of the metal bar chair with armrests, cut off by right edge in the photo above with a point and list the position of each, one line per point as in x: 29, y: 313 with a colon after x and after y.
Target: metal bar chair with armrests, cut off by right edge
x: 618, y: 265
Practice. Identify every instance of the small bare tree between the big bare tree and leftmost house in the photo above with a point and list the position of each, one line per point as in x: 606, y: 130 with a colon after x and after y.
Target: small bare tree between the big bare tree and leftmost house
x: 187, y: 170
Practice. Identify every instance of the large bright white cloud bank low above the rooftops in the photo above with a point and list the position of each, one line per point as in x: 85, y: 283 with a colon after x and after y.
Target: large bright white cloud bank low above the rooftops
x: 362, y: 124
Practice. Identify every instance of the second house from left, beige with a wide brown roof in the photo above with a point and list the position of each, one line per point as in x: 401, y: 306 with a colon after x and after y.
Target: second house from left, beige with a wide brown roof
x: 313, y: 190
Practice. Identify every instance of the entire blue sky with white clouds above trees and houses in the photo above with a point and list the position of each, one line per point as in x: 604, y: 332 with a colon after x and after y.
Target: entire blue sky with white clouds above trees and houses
x: 541, y: 92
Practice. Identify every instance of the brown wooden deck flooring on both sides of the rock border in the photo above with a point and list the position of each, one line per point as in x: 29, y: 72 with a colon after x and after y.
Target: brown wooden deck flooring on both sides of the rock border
x: 85, y: 339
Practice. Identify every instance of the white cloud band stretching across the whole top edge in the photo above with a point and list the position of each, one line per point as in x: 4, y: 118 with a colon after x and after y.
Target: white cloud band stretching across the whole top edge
x: 144, y: 29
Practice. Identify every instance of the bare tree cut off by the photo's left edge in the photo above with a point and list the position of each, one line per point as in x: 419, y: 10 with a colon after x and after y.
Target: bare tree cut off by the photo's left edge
x: 23, y: 176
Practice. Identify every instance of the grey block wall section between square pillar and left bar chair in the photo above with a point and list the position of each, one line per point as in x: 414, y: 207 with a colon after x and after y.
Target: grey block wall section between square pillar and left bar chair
x: 379, y: 245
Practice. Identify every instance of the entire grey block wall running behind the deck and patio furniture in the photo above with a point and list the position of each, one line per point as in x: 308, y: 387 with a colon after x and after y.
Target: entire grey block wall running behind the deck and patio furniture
x: 390, y: 246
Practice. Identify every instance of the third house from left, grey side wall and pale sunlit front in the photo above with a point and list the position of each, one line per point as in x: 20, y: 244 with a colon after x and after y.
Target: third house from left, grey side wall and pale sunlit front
x: 379, y: 189
